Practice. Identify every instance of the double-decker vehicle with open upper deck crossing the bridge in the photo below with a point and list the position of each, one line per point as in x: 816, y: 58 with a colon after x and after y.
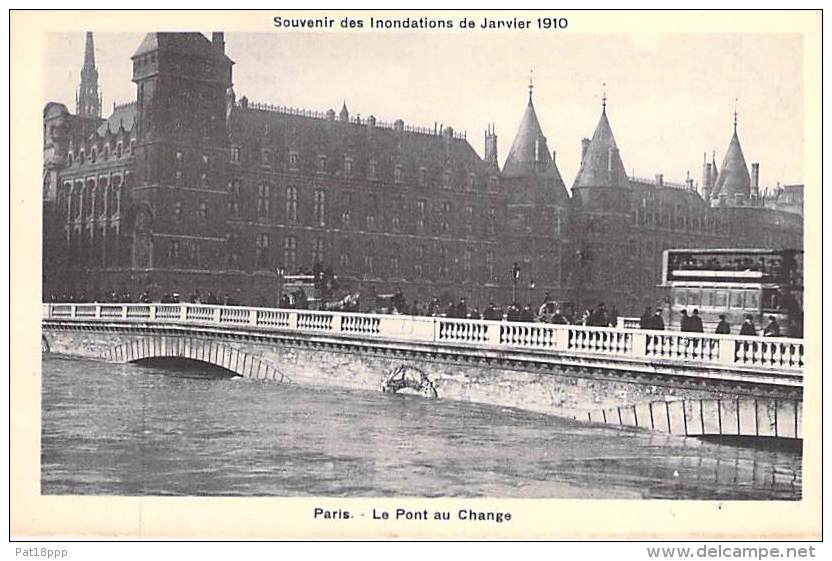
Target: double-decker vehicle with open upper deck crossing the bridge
x: 736, y: 283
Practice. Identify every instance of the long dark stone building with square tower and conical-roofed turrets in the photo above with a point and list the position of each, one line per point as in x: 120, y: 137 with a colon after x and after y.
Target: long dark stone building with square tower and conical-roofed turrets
x: 189, y: 188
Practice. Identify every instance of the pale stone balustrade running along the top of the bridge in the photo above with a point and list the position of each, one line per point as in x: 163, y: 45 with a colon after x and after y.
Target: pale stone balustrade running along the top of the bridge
x: 702, y: 349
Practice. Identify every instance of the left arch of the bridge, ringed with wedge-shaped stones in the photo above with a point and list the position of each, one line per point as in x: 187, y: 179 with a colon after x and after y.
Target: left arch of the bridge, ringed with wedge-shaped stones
x: 200, y: 350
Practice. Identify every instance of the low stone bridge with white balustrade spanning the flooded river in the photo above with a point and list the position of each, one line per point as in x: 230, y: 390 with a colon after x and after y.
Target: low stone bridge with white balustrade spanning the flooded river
x: 678, y: 383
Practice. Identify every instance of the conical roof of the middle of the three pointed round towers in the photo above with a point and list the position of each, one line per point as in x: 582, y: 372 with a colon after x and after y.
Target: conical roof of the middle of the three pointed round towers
x: 601, y: 165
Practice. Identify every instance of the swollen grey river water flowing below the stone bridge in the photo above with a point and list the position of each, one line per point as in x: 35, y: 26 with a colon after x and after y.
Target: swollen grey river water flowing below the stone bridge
x: 129, y: 429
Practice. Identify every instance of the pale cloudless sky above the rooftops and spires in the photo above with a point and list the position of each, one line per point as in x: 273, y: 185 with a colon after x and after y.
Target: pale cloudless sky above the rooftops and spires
x: 670, y: 97
